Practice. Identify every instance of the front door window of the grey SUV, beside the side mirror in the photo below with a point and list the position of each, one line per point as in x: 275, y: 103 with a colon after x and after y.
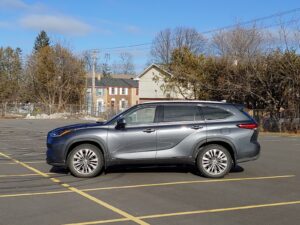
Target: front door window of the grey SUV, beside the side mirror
x: 141, y: 116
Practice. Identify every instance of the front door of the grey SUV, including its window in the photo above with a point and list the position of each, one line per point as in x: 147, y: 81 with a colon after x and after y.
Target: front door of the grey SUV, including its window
x: 137, y: 141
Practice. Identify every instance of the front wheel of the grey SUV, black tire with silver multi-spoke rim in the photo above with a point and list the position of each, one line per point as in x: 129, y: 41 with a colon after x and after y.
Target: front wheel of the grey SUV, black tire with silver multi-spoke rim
x: 82, y: 161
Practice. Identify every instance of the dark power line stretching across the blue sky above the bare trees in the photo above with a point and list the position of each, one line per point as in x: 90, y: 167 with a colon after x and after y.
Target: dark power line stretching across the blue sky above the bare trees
x: 259, y: 19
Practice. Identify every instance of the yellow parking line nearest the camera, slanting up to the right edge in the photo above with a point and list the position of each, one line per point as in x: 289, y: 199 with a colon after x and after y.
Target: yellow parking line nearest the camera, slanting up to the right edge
x: 218, y: 210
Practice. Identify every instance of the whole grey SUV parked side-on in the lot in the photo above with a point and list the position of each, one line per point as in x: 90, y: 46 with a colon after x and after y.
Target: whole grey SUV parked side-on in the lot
x: 213, y: 136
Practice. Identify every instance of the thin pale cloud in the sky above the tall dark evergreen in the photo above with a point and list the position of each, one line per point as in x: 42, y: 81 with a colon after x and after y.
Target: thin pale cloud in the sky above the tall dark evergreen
x: 56, y: 24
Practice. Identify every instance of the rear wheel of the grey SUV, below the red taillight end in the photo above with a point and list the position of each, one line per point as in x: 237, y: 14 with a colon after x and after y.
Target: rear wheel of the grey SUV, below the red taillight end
x: 211, y: 165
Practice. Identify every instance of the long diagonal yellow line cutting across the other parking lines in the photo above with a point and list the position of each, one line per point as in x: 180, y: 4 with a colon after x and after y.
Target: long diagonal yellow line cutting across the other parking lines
x: 73, y: 189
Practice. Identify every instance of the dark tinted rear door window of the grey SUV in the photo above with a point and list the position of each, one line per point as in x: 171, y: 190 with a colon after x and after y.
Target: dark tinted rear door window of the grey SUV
x: 175, y: 113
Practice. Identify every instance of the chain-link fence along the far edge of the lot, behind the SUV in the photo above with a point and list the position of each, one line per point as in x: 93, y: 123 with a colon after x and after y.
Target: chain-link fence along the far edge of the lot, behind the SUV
x: 285, y: 121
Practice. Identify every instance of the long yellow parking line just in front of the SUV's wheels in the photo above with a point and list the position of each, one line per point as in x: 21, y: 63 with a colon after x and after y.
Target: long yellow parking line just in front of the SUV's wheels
x: 148, y: 185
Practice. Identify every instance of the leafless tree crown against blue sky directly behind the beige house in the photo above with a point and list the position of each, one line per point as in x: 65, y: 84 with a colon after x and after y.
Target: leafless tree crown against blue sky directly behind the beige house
x: 167, y: 40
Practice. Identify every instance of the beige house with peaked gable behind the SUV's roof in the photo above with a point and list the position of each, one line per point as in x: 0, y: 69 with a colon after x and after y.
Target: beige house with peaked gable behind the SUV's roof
x: 151, y: 83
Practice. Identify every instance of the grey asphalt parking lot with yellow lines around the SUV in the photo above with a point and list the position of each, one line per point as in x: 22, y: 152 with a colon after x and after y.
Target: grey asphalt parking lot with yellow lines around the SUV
x: 266, y: 191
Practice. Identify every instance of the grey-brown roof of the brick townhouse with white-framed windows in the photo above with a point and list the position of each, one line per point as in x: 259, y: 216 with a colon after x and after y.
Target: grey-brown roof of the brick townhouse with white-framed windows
x: 114, y: 82
